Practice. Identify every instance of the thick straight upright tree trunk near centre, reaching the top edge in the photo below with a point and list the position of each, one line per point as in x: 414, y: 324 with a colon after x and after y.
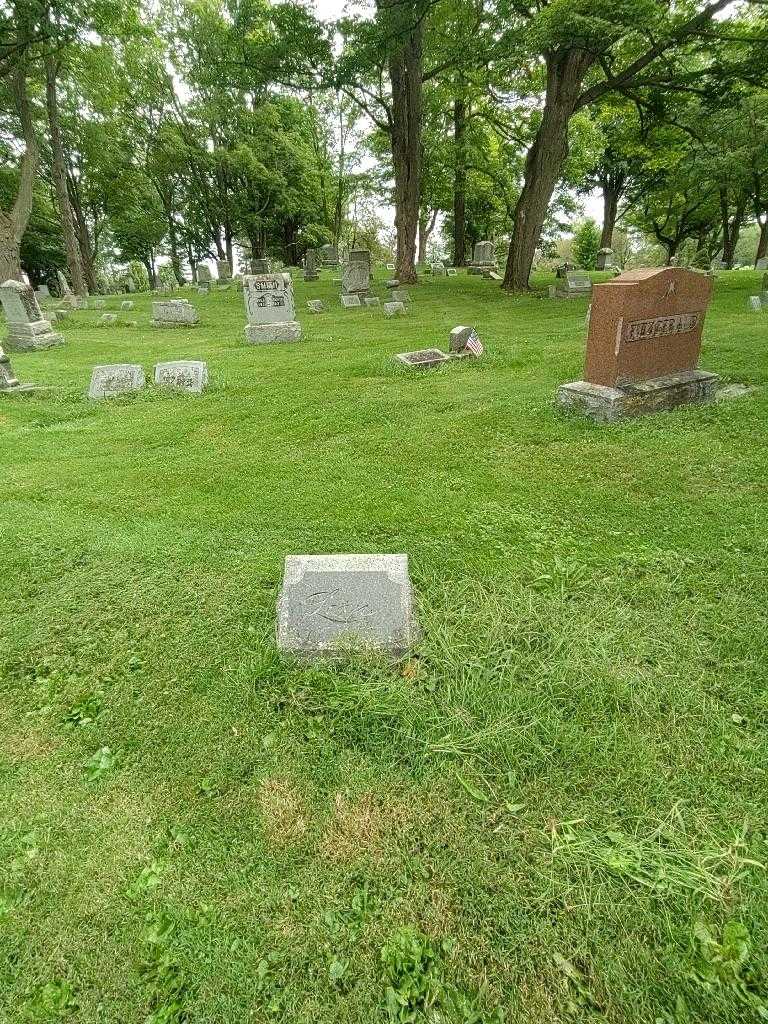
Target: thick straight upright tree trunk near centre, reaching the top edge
x: 404, y: 25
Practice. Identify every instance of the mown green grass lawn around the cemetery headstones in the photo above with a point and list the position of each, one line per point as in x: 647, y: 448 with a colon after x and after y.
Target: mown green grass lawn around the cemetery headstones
x: 556, y: 813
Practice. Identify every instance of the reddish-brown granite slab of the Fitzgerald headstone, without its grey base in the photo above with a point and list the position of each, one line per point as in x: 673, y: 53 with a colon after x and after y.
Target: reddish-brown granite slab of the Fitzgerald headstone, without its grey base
x: 647, y: 324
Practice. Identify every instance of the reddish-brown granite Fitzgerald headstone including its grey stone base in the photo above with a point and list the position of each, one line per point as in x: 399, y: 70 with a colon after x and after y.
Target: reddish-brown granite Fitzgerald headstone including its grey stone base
x: 644, y: 346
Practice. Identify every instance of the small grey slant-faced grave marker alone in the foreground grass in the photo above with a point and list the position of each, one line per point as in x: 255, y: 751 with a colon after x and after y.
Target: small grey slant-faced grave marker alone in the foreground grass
x: 335, y: 605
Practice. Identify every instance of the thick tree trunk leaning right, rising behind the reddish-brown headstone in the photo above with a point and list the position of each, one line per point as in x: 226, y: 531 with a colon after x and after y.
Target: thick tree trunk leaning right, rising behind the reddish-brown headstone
x: 544, y: 163
